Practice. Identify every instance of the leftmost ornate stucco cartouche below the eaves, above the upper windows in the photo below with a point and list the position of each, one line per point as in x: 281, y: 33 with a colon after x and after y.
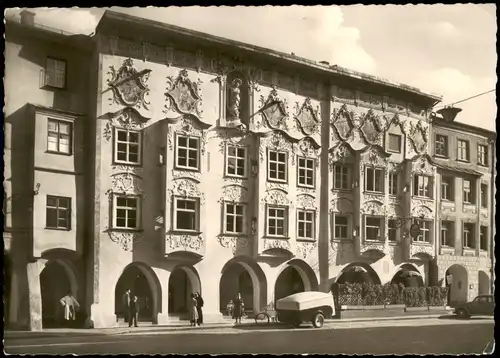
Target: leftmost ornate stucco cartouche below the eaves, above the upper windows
x: 128, y: 85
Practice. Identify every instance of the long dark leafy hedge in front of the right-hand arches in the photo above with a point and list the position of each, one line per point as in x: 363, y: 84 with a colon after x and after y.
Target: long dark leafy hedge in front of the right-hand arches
x: 370, y: 294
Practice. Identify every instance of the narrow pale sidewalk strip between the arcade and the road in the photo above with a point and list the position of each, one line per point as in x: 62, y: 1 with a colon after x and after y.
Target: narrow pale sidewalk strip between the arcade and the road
x: 184, y: 326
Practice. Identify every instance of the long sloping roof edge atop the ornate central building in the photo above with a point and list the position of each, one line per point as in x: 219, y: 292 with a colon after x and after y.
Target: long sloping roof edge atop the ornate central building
x: 110, y: 15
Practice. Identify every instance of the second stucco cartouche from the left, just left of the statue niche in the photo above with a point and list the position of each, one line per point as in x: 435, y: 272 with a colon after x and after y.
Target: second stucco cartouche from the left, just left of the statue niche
x: 183, y: 95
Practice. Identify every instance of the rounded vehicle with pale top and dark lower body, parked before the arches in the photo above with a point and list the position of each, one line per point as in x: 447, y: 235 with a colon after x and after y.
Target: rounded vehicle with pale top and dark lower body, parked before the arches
x: 308, y: 306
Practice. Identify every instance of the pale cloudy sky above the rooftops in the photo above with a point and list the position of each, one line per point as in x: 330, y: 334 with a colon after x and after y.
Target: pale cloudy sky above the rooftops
x: 449, y: 50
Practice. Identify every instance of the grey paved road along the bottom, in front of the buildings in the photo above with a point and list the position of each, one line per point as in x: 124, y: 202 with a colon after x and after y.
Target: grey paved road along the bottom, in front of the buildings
x: 431, y: 336
